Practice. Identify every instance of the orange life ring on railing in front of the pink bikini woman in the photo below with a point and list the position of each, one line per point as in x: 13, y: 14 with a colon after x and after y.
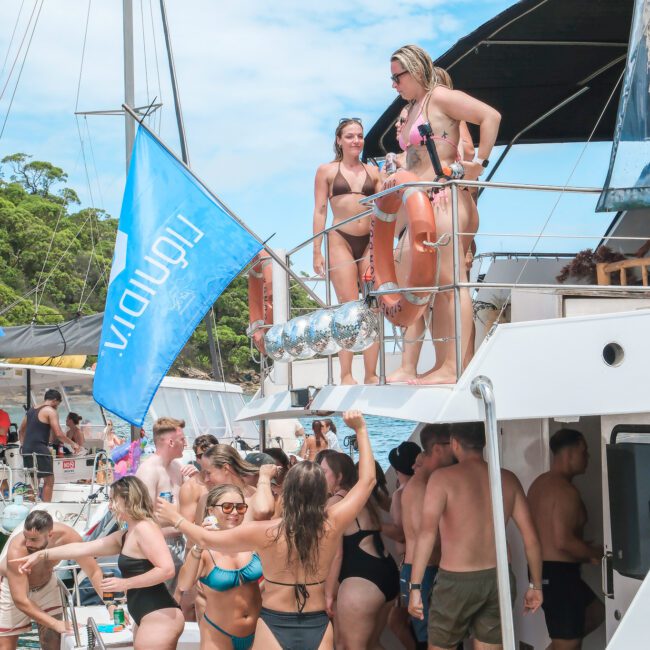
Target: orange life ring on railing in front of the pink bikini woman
x: 403, y: 309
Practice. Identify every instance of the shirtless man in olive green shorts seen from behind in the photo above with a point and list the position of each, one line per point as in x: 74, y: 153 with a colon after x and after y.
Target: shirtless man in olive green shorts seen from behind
x: 457, y: 502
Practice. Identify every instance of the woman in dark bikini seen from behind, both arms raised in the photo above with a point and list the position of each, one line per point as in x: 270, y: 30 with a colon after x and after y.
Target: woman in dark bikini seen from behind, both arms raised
x: 296, y: 550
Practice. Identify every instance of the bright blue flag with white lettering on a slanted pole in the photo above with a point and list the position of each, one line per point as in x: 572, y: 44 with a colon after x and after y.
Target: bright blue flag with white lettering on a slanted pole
x: 176, y: 250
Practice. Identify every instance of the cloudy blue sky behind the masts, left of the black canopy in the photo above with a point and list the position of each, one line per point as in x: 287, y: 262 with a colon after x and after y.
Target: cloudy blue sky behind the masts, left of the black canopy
x: 262, y: 84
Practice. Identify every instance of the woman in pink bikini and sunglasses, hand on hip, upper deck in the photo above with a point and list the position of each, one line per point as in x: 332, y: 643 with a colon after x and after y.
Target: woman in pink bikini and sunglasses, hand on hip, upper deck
x: 432, y: 101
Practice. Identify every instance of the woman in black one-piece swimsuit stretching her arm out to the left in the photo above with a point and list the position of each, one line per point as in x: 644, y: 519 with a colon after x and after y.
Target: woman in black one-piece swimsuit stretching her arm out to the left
x: 144, y: 562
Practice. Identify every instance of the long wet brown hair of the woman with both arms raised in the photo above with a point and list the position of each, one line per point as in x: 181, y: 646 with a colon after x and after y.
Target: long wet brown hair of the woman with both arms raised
x: 304, y: 495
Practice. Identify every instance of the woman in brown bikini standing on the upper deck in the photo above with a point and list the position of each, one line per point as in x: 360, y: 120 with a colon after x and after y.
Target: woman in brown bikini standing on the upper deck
x: 342, y: 183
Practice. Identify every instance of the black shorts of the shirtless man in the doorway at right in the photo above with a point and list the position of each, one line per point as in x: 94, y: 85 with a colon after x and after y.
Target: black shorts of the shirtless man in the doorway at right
x: 566, y: 598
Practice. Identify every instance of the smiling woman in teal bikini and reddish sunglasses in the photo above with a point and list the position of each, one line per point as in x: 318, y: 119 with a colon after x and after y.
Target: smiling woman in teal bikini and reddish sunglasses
x: 230, y: 580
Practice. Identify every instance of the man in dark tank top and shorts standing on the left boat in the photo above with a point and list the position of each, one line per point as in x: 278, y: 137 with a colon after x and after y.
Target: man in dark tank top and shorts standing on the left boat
x: 39, y: 423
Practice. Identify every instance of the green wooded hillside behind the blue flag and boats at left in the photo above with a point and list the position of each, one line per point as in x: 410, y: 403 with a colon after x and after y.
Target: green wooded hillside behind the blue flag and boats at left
x: 55, y: 260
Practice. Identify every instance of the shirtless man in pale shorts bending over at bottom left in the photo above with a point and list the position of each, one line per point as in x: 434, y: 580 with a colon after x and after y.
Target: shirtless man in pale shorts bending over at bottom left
x: 35, y: 597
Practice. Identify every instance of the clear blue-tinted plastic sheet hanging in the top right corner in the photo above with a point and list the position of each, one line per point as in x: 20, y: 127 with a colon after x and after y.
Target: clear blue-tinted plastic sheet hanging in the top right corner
x: 628, y: 179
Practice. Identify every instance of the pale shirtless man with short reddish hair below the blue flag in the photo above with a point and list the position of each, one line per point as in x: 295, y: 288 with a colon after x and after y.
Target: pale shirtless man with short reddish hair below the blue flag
x: 164, y: 472
